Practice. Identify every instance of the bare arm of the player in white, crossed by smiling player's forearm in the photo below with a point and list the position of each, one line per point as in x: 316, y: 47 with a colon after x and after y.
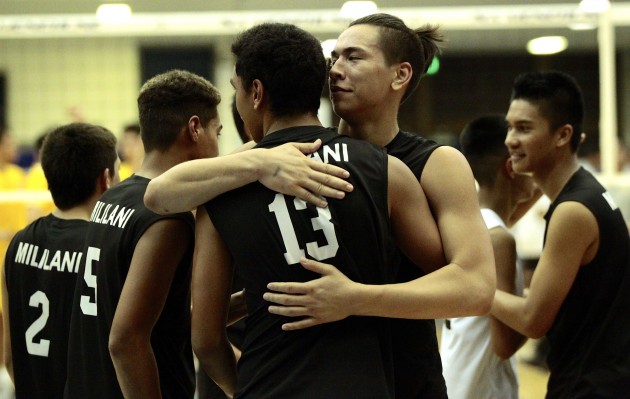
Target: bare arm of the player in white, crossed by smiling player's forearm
x: 505, y: 341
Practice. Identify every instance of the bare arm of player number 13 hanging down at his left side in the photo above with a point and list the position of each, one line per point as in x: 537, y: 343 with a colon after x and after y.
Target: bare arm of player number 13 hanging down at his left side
x: 212, y: 278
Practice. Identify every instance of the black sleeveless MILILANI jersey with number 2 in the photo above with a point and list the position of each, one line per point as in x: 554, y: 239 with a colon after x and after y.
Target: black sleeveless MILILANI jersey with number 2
x: 41, y: 268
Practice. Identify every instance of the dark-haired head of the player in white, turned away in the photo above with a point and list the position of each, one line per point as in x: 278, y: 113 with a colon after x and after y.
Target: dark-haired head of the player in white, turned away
x: 482, y: 142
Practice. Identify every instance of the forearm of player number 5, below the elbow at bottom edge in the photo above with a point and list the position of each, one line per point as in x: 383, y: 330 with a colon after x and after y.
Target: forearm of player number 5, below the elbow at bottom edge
x: 136, y: 370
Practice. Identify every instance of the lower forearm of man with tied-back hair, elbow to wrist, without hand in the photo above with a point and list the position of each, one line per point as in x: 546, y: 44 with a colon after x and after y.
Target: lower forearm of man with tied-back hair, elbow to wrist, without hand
x: 448, y: 292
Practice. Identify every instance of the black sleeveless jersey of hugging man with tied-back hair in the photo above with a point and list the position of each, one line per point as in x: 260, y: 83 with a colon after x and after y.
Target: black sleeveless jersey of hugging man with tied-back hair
x: 418, y: 365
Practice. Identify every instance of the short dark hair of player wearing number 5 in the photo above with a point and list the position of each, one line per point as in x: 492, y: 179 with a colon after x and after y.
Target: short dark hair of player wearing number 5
x: 167, y: 101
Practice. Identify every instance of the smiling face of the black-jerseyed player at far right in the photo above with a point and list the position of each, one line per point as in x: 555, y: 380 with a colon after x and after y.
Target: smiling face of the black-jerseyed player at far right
x: 529, y: 139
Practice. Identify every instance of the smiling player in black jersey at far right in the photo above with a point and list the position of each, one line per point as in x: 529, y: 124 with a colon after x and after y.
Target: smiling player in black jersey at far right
x: 579, y: 295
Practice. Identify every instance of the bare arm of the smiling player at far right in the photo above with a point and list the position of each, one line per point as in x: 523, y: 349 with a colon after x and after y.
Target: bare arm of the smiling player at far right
x: 572, y: 241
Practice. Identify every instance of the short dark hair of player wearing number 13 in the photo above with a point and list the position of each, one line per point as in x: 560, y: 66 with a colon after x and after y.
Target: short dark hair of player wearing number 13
x: 288, y: 61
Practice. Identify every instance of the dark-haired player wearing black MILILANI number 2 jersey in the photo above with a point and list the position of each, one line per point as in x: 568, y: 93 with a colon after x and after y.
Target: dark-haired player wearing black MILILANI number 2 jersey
x: 40, y: 270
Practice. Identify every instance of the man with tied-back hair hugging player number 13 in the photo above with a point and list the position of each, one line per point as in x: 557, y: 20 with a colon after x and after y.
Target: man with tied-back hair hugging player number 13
x: 377, y: 63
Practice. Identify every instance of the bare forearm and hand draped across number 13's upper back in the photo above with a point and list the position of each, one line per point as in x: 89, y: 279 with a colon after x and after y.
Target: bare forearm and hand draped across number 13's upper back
x: 284, y: 169
